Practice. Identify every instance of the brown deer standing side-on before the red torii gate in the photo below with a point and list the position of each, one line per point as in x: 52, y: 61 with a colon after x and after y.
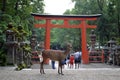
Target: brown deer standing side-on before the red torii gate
x: 55, y: 55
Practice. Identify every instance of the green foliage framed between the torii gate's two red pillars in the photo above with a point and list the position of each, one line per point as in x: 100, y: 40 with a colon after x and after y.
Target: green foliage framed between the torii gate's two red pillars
x: 62, y: 36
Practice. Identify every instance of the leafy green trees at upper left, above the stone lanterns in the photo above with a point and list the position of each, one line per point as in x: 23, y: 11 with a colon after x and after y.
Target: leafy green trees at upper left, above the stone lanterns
x: 19, y: 13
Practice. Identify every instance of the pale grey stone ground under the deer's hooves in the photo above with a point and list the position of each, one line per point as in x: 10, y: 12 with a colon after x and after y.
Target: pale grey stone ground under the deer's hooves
x: 94, y: 71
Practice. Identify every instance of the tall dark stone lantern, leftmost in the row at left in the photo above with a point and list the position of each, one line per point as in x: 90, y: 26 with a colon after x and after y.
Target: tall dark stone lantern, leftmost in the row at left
x: 10, y: 43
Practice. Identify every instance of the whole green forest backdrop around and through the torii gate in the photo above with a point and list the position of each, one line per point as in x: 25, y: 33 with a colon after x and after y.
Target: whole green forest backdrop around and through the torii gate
x: 19, y: 13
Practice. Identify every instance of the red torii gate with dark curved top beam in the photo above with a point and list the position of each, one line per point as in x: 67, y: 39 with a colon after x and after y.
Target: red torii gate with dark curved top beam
x: 66, y: 18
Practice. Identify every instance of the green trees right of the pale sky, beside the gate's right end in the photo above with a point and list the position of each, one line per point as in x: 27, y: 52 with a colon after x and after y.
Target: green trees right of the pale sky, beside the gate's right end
x: 108, y: 25
